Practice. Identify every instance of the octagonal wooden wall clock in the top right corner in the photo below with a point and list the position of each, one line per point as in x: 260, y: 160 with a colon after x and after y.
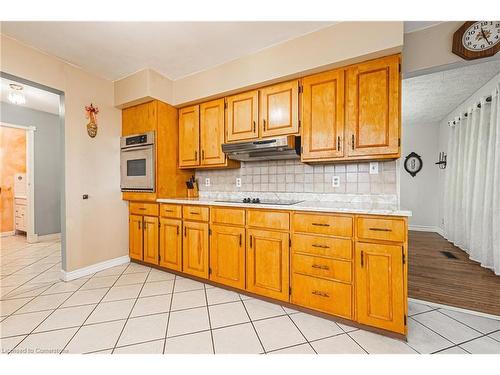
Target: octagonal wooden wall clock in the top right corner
x: 477, y: 39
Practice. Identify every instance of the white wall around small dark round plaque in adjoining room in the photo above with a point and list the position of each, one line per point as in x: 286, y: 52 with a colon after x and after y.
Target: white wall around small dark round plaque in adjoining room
x: 420, y: 193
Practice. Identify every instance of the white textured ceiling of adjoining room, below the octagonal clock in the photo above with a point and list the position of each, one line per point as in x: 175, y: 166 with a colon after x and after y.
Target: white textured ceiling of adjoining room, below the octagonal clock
x: 427, y: 99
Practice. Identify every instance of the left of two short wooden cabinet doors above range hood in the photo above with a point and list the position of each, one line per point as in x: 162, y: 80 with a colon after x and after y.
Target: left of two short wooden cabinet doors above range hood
x: 243, y: 116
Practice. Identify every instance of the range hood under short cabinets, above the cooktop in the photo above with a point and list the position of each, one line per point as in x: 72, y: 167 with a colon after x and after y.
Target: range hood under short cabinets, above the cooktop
x: 279, y: 148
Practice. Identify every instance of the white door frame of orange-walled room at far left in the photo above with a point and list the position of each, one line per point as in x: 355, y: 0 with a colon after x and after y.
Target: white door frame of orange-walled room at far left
x: 30, y: 183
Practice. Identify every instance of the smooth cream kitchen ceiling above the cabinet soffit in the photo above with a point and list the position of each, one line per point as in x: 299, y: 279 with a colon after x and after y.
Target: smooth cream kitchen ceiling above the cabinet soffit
x: 114, y: 50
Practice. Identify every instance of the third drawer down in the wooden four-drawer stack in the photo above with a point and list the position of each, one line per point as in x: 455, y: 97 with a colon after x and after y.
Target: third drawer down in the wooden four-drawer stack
x: 339, y: 270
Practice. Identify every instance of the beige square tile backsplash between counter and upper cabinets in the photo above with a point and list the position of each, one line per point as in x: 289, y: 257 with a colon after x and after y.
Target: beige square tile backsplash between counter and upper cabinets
x: 292, y: 176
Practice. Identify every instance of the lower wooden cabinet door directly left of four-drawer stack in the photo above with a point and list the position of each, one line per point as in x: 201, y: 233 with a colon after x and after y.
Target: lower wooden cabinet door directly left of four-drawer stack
x: 268, y: 263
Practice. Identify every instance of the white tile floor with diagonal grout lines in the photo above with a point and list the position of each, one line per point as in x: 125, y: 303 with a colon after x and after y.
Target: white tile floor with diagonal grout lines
x: 136, y: 309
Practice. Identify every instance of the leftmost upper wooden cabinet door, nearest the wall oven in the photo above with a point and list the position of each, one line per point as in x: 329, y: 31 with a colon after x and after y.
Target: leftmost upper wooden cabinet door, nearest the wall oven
x: 189, y: 136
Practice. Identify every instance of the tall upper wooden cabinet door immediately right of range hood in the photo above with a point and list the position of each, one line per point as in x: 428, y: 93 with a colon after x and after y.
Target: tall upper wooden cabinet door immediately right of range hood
x: 323, y: 116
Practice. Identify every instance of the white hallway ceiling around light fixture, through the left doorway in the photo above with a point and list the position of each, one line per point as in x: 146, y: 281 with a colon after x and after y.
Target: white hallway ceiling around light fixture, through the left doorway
x: 40, y: 100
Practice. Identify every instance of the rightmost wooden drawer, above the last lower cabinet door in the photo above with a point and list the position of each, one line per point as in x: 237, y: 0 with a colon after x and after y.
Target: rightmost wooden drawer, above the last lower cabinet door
x: 385, y: 229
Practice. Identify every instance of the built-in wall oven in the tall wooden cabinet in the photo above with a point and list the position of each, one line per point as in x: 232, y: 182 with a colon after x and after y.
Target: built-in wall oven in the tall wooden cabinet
x: 137, y: 162
